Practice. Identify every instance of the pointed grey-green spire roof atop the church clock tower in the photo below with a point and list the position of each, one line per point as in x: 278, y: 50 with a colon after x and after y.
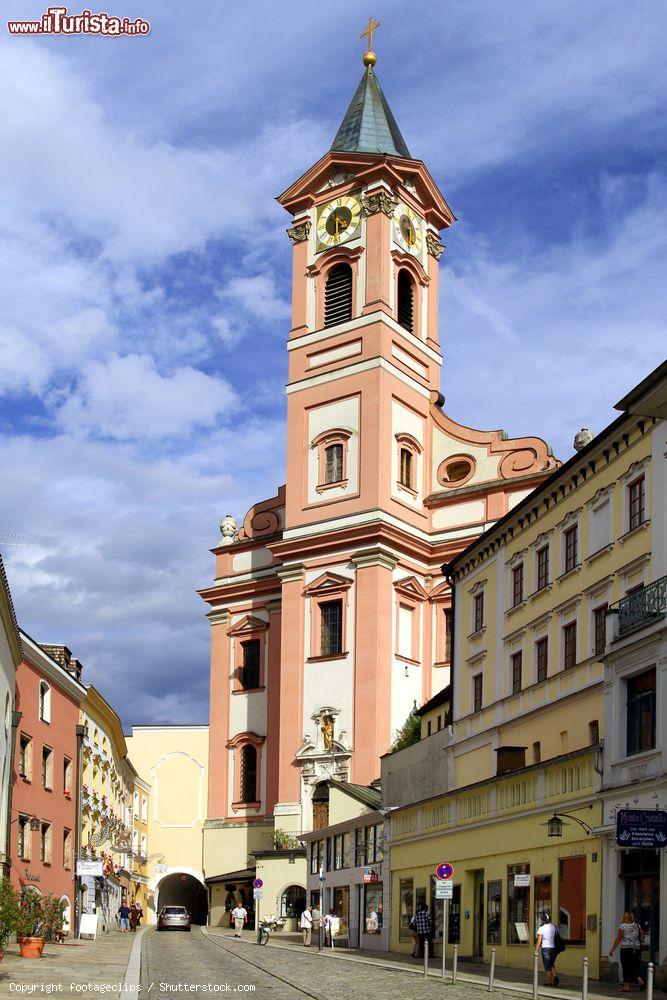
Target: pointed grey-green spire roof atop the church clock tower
x: 368, y: 125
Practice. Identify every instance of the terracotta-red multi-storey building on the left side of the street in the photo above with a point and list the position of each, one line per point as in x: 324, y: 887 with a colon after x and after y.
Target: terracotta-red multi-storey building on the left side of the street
x: 45, y: 780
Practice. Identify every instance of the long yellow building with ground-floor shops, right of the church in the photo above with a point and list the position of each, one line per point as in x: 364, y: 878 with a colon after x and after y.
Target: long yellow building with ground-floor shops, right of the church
x: 522, y: 736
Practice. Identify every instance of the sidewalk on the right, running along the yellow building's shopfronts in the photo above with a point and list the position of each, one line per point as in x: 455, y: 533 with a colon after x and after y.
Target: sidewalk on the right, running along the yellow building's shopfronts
x: 516, y: 981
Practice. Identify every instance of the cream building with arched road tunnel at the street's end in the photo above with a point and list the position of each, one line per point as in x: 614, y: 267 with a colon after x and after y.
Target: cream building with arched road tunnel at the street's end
x: 173, y: 761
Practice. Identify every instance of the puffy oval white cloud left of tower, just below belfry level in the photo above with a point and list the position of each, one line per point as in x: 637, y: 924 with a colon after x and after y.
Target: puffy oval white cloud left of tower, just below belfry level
x: 126, y: 398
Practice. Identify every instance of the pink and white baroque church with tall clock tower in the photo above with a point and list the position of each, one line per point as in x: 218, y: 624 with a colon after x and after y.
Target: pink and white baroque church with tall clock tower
x: 330, y: 619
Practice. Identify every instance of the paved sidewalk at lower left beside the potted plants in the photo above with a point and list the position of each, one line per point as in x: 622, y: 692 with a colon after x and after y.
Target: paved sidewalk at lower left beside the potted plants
x: 103, y: 961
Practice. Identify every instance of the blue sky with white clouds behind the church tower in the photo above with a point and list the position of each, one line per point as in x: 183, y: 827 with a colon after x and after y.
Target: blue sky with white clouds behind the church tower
x: 145, y: 274
